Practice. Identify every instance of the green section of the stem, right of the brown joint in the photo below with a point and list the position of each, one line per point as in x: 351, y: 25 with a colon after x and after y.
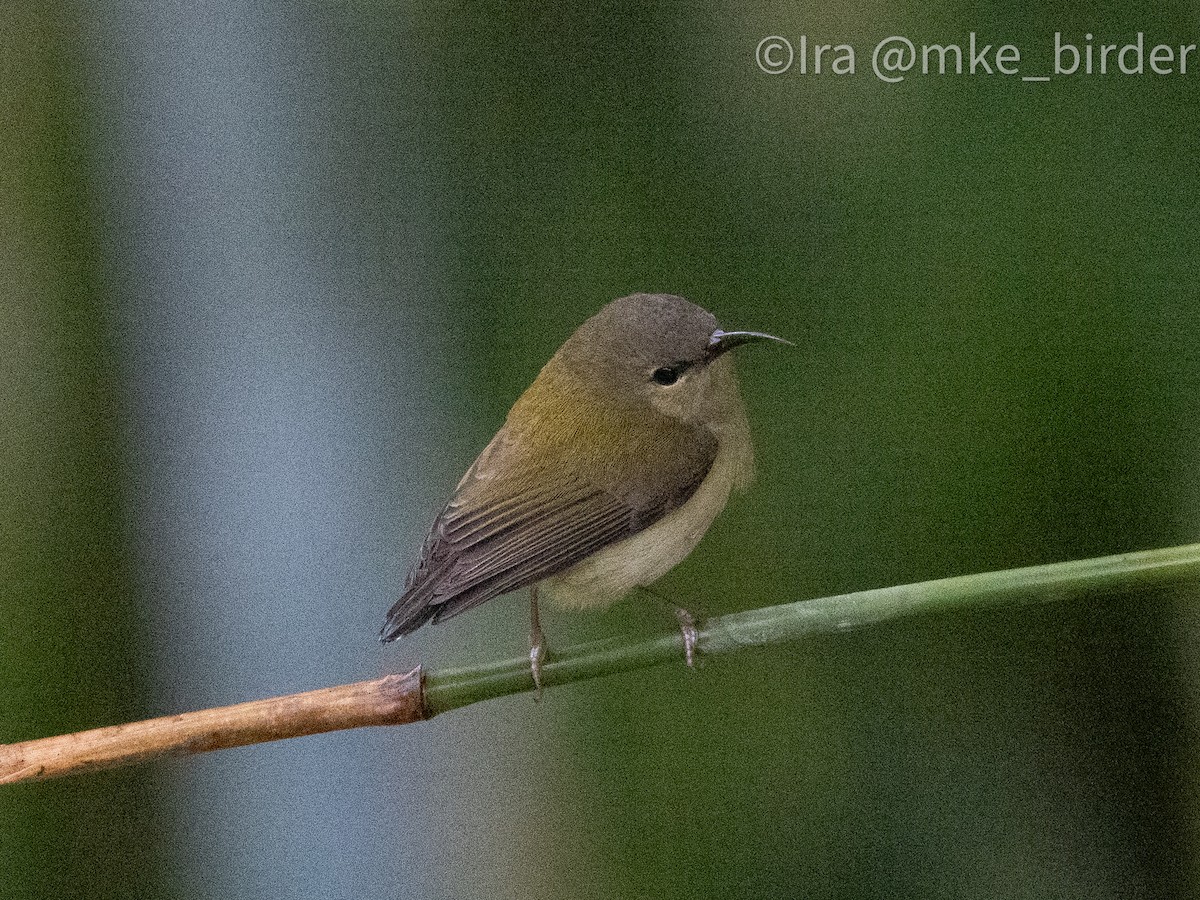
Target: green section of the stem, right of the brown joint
x: 793, y: 622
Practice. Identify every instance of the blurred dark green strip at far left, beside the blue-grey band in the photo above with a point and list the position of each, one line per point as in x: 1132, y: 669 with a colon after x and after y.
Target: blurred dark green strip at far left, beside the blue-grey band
x: 71, y: 649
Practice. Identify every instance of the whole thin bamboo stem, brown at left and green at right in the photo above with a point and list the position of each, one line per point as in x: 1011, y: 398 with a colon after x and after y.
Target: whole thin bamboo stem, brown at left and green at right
x: 415, y: 697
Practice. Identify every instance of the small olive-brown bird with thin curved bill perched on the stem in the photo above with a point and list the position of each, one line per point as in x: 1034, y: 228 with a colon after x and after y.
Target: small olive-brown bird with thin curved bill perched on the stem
x: 608, y: 472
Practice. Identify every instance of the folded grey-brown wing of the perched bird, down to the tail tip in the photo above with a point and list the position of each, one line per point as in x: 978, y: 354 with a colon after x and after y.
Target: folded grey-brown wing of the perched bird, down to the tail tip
x: 481, y: 547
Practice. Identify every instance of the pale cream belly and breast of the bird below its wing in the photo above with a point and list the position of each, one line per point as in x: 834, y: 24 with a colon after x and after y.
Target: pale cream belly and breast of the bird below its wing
x: 609, y: 574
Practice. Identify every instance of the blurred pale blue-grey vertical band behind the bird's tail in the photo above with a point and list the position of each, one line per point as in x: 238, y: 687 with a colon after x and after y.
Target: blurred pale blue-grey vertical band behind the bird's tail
x: 262, y: 292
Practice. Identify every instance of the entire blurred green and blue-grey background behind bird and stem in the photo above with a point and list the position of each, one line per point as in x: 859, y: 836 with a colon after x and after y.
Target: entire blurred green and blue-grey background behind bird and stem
x: 272, y: 278
